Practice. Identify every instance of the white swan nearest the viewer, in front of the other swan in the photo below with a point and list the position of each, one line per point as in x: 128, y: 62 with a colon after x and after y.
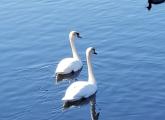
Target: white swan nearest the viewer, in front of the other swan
x: 83, y: 89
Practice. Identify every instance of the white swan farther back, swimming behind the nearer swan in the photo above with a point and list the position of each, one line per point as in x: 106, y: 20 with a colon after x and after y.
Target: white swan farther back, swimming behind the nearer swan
x: 73, y: 64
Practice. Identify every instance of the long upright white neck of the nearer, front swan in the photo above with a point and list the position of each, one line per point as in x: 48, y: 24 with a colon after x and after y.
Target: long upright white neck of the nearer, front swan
x: 91, y: 77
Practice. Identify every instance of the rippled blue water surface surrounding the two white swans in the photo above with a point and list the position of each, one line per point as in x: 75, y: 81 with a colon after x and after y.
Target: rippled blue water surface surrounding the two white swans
x: 130, y: 66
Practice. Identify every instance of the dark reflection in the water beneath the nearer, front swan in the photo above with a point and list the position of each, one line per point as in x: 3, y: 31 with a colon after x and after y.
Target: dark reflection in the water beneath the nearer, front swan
x: 85, y: 101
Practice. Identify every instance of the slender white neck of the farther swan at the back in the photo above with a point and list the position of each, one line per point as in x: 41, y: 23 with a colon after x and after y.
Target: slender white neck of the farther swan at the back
x: 74, y: 51
